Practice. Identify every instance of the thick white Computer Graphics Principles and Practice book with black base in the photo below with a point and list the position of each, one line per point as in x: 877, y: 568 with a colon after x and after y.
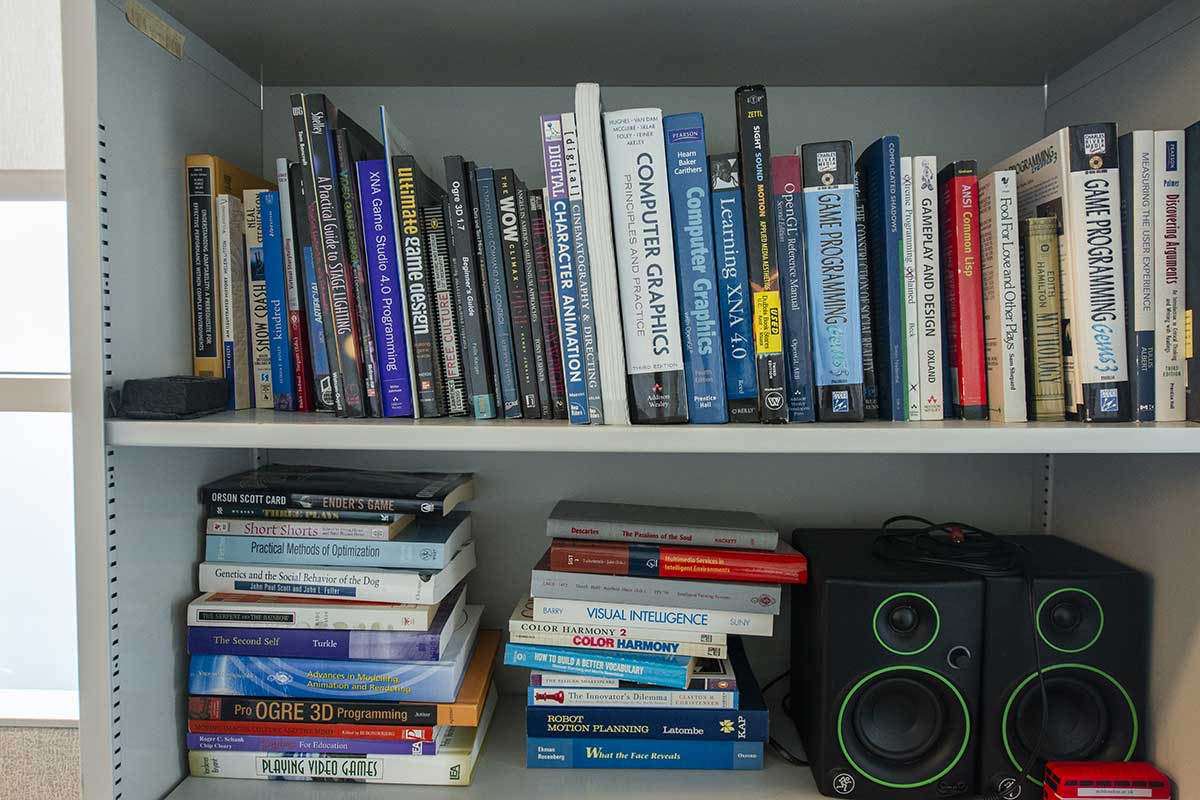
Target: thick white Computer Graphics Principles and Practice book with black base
x: 646, y: 269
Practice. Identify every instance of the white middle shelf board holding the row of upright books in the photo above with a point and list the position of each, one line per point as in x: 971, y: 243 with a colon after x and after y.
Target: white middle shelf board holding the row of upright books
x: 286, y: 431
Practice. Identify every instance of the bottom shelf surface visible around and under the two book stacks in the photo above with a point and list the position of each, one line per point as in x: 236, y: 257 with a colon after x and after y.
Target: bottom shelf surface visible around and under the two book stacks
x: 501, y: 774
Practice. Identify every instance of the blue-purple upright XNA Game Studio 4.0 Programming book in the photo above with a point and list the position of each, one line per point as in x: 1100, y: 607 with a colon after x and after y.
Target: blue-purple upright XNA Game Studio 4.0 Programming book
x: 387, y: 291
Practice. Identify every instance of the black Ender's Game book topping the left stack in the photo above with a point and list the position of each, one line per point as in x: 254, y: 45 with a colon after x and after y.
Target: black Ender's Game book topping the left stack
x: 334, y: 489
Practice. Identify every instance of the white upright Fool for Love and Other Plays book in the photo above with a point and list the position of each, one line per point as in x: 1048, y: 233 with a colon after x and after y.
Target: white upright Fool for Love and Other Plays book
x: 1000, y: 267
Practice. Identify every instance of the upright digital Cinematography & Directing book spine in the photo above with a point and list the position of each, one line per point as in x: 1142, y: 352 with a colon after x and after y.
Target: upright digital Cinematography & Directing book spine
x: 581, y: 263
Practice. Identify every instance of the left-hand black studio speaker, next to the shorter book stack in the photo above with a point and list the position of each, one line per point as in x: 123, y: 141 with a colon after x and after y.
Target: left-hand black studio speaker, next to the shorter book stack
x: 886, y: 671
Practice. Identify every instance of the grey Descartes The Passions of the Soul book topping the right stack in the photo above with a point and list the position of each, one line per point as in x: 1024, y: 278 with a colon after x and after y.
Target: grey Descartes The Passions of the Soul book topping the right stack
x: 621, y: 522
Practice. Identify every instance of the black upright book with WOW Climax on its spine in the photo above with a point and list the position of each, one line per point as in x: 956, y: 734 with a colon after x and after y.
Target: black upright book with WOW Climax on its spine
x: 518, y: 294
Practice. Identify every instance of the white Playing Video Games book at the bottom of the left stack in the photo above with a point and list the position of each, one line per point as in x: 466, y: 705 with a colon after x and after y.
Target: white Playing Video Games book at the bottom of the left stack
x: 453, y: 766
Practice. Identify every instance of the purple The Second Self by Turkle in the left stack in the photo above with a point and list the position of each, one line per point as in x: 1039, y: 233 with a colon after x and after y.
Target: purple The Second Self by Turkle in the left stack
x: 333, y: 645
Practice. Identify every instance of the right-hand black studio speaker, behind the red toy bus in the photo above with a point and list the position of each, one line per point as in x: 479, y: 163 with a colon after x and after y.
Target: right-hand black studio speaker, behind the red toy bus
x: 1093, y: 635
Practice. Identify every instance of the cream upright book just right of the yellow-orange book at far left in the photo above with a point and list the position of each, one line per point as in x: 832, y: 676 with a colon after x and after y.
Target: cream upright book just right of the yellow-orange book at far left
x: 232, y: 278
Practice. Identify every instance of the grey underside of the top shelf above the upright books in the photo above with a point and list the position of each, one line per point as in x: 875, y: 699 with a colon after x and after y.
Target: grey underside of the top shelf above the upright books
x: 704, y: 44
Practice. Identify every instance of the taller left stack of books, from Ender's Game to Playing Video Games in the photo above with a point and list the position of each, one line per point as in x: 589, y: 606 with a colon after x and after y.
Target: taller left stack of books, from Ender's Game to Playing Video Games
x: 334, y: 640
